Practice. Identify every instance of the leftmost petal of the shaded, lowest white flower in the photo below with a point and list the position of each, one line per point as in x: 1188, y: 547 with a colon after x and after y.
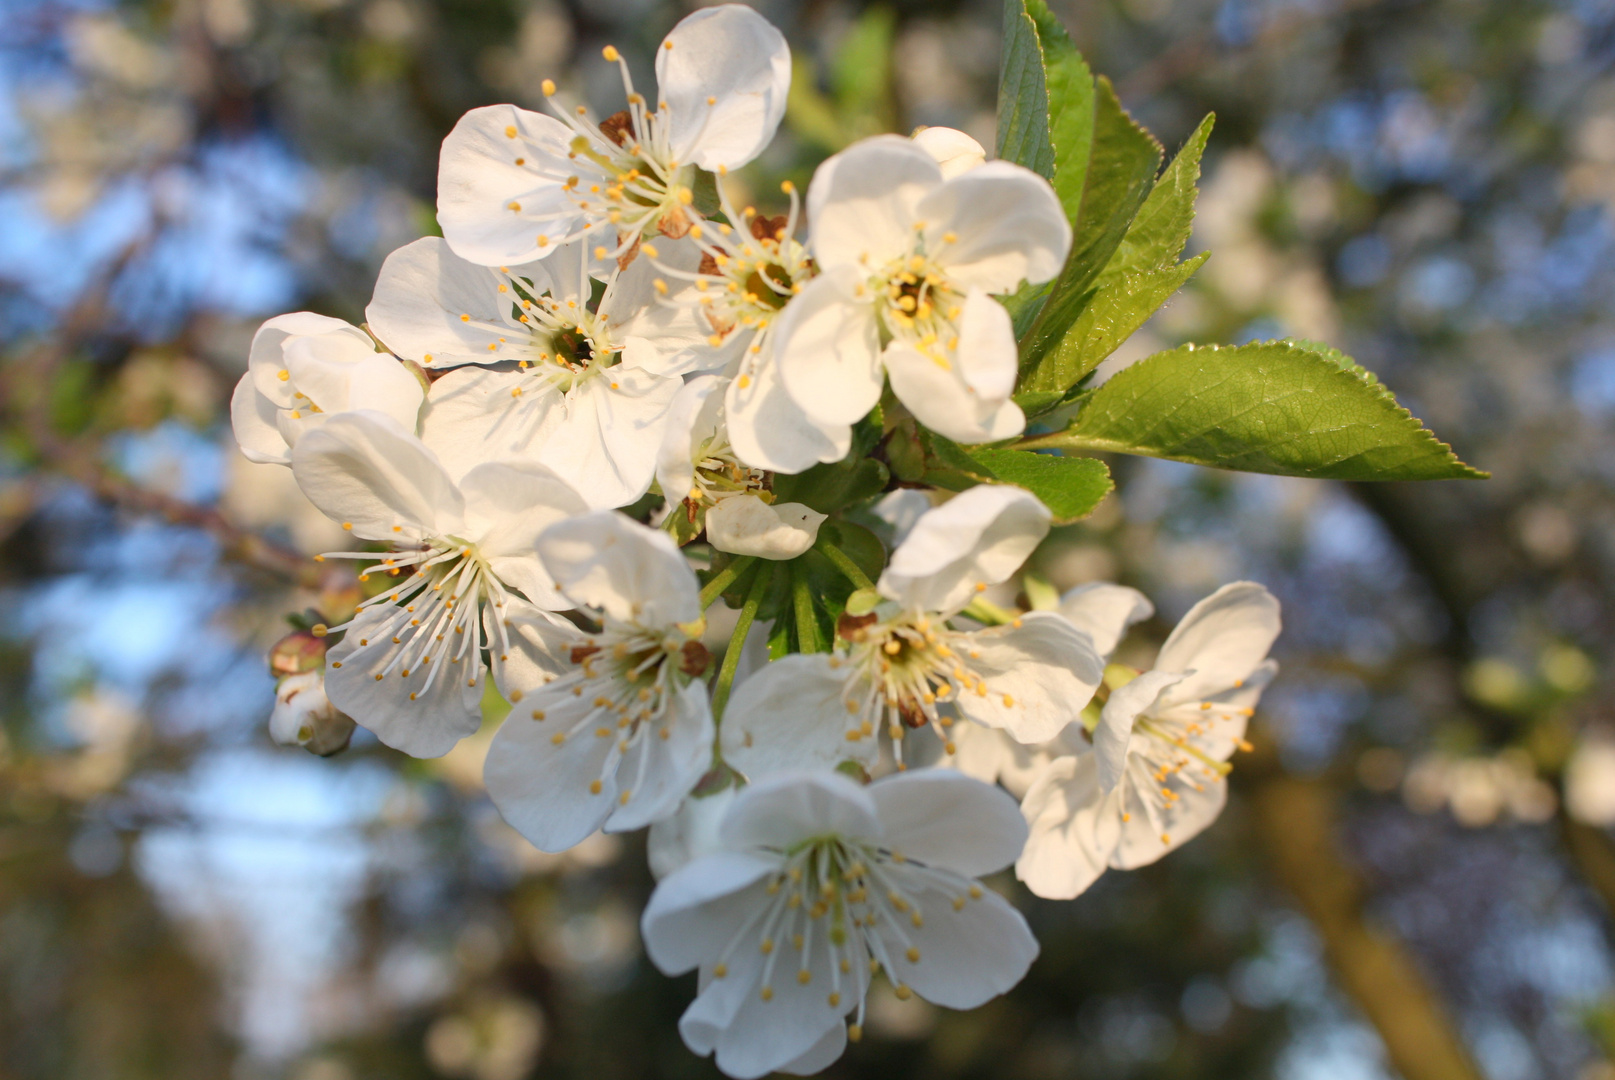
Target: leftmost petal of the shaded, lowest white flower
x: 697, y: 910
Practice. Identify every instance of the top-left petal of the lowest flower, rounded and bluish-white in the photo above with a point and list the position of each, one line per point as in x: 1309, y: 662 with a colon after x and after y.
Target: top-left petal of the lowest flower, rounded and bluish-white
x: 786, y: 808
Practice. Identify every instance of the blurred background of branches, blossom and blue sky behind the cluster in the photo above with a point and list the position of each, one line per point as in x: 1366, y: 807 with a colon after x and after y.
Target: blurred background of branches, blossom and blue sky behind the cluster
x: 1416, y: 877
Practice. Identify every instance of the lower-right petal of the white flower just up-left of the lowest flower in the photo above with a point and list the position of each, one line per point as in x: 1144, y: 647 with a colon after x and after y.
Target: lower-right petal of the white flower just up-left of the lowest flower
x: 668, y: 761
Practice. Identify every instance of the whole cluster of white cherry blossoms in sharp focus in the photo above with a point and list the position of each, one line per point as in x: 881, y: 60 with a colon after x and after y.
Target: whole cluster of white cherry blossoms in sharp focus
x: 602, y: 372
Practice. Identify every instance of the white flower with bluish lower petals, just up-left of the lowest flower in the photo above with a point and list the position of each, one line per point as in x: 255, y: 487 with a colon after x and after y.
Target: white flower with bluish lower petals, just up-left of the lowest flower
x: 626, y: 730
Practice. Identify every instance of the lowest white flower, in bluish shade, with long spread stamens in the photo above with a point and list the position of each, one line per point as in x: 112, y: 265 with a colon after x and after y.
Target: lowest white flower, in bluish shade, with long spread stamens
x: 823, y: 884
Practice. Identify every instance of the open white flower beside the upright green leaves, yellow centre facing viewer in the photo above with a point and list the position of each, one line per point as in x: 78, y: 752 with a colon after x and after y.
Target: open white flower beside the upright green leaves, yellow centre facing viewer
x: 908, y: 266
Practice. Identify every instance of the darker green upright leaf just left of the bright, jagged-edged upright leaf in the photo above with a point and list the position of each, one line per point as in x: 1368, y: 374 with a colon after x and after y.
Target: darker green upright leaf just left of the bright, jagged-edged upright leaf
x: 1118, y: 180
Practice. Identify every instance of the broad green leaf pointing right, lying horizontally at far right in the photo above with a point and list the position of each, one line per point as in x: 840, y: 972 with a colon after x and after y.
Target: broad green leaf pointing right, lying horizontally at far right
x: 1293, y: 409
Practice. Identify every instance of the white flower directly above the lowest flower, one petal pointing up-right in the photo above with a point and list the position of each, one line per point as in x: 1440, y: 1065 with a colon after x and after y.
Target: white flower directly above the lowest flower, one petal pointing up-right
x: 905, y: 668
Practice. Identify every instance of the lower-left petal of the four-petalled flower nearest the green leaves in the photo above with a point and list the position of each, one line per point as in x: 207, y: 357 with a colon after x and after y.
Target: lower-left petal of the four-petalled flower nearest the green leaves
x: 828, y: 350
